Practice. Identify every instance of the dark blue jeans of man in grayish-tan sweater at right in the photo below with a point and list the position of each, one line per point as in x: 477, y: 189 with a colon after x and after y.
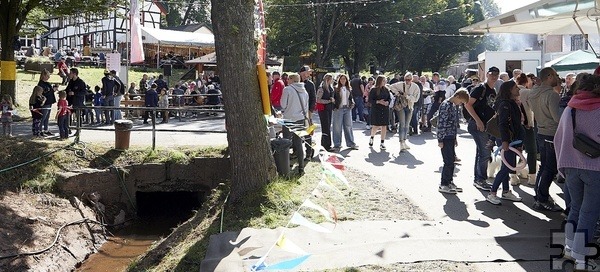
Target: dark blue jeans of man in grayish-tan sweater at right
x: 547, y: 167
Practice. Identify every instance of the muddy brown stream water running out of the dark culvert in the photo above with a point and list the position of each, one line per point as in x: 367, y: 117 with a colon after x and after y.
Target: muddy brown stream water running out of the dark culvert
x: 129, y: 243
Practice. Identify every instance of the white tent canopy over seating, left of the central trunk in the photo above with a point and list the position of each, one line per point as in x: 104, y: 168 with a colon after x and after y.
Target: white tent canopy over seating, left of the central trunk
x: 172, y: 37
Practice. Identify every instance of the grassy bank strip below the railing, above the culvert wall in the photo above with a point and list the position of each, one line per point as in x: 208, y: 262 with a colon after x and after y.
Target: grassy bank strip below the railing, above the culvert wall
x: 40, y: 160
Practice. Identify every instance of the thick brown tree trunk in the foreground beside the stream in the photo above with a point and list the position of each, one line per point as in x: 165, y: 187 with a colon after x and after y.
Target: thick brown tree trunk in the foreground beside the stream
x: 251, y: 160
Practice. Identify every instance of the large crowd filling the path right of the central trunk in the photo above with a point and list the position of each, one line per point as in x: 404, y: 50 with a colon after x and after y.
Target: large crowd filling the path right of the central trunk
x: 547, y: 117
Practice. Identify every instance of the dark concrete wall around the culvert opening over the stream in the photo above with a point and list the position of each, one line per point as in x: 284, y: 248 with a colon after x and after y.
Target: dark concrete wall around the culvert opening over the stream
x: 117, y: 188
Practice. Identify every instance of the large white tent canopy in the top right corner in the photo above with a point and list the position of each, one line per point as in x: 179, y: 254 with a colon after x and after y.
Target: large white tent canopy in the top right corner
x: 546, y: 17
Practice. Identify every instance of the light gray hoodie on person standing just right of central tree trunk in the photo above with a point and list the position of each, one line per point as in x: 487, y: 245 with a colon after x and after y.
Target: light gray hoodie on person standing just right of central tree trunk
x: 291, y: 106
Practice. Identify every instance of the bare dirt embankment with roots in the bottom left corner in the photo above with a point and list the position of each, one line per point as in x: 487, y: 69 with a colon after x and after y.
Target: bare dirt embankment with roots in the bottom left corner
x: 29, y: 224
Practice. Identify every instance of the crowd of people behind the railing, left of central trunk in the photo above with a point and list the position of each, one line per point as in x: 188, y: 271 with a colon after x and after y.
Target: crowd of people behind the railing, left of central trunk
x: 103, y: 105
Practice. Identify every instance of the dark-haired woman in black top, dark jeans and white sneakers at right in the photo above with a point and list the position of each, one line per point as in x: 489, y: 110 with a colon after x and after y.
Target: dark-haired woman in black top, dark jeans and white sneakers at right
x: 511, y: 131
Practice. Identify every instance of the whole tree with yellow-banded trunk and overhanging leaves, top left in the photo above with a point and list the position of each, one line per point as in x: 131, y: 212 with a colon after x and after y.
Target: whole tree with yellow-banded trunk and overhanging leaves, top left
x: 13, y: 15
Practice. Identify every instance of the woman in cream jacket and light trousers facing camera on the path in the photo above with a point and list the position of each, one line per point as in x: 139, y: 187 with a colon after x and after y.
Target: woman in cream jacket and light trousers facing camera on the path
x: 406, y: 94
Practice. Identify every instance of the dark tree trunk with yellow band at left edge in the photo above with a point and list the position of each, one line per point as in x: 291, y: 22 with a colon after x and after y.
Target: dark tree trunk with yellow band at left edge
x: 8, y: 28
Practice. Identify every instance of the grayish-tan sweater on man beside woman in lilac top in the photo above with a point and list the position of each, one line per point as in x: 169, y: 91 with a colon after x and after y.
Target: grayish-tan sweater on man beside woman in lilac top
x: 544, y: 103
